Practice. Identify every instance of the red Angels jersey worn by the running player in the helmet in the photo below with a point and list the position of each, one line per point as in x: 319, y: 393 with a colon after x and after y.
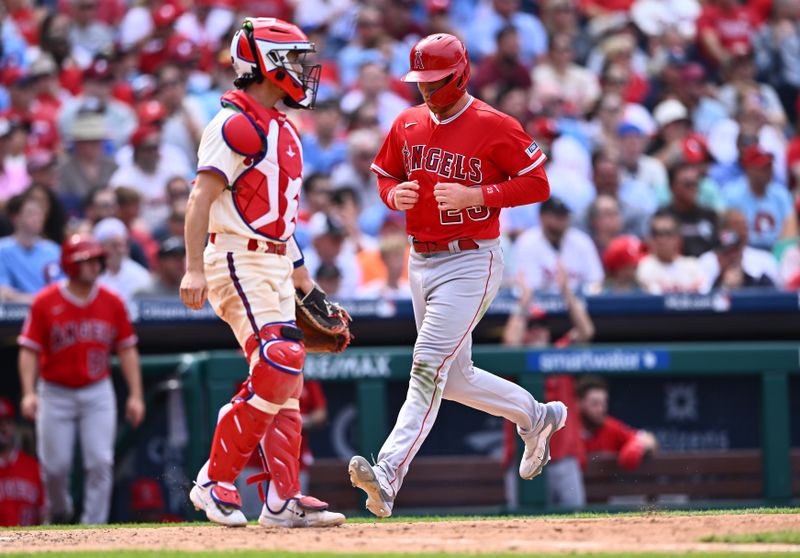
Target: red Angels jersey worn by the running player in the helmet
x: 475, y: 147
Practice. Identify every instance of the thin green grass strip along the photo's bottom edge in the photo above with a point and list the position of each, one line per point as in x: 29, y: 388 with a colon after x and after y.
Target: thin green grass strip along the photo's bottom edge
x: 280, y: 554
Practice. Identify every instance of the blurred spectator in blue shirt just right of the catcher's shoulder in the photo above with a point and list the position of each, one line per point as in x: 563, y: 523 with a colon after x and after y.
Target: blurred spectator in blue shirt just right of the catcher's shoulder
x: 325, y: 147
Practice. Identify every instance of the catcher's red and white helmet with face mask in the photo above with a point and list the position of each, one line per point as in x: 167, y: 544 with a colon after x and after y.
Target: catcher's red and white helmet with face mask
x: 259, y: 50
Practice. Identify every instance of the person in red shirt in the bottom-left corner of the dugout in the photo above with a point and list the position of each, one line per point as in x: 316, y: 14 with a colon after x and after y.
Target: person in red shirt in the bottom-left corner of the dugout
x: 22, y: 493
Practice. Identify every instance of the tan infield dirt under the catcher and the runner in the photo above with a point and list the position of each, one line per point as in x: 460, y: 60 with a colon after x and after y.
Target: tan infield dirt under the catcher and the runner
x: 647, y: 533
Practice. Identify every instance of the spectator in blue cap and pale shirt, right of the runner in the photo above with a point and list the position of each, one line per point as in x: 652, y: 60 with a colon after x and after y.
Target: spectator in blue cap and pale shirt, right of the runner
x: 637, y: 167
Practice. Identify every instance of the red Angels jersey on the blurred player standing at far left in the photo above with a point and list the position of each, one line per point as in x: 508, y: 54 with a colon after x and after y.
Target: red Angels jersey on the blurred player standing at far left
x: 74, y: 338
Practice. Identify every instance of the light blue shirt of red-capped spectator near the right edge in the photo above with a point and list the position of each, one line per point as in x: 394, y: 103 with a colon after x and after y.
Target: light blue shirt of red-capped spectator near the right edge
x: 765, y: 215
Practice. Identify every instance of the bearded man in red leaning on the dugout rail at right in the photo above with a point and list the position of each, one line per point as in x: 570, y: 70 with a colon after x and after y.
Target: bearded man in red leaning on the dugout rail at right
x: 603, y: 434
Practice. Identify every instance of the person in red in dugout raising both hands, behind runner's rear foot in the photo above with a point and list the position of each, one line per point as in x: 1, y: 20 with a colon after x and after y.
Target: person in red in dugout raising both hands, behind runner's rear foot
x: 527, y: 326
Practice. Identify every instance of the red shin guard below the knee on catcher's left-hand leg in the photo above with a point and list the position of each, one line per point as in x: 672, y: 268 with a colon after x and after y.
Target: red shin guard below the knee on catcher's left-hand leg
x: 237, y: 435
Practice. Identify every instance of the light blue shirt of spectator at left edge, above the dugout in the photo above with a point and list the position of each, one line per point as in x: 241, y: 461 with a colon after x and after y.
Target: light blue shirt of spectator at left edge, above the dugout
x: 28, y: 270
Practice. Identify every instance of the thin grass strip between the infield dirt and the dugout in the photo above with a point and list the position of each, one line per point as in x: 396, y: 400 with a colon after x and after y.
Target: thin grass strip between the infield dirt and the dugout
x: 438, y: 518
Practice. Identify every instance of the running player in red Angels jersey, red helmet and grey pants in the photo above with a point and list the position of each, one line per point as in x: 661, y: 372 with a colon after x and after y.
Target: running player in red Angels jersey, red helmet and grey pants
x: 451, y: 164
